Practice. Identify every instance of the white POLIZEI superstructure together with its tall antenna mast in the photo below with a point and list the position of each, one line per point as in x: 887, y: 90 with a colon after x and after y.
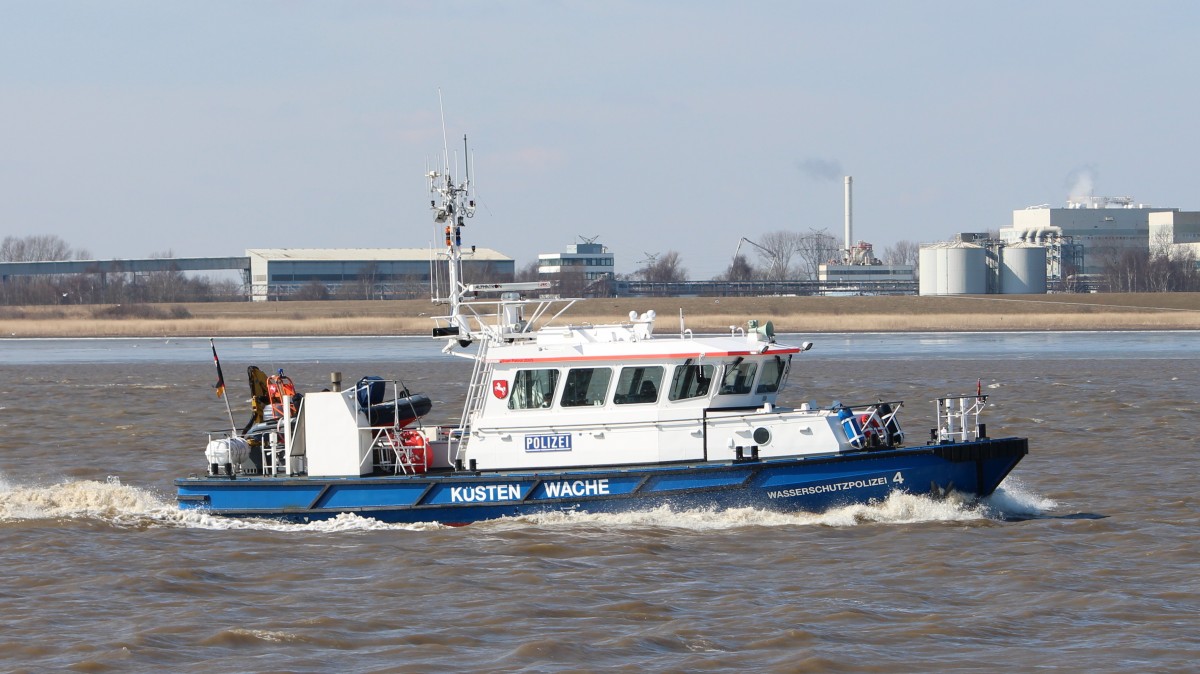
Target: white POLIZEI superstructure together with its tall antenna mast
x: 574, y: 396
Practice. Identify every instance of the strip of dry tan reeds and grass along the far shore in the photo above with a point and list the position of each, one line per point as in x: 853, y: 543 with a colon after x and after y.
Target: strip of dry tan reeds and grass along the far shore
x: 976, y: 314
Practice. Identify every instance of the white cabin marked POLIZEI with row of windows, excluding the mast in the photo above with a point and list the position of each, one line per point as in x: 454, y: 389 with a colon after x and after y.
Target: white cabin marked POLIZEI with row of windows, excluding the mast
x: 579, y: 396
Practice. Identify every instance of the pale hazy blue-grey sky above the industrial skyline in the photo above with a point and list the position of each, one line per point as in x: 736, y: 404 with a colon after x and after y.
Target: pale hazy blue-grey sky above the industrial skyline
x: 209, y: 128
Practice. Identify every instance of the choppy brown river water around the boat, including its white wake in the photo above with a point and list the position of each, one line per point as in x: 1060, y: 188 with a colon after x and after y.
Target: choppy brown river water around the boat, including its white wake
x: 1085, y: 561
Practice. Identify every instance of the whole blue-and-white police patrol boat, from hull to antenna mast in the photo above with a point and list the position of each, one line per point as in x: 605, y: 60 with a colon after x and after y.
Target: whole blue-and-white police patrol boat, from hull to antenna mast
x: 587, y: 418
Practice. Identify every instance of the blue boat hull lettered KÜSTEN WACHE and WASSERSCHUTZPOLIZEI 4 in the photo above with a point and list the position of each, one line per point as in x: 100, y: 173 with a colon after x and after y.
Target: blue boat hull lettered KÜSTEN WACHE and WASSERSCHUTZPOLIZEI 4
x: 811, y: 484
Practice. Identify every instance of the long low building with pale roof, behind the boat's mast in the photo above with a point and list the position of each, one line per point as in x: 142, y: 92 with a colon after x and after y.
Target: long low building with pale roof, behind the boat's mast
x: 382, y: 273
